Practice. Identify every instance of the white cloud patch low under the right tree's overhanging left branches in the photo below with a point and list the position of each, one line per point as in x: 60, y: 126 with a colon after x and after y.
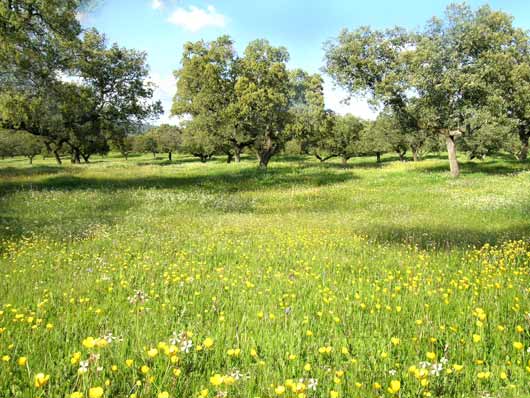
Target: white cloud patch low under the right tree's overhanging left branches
x: 334, y: 98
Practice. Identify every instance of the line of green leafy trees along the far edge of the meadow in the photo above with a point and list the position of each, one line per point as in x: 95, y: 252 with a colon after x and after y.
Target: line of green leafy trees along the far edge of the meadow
x: 462, y: 81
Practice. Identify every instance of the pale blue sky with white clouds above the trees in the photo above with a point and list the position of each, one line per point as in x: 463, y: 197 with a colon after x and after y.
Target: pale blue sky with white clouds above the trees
x: 161, y: 27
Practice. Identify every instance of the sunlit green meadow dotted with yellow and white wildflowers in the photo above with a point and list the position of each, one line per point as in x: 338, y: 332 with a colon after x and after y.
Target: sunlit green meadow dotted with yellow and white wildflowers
x: 149, y: 279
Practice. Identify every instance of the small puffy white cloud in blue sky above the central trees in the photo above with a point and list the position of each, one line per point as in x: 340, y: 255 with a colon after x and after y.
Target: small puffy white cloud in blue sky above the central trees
x: 194, y: 19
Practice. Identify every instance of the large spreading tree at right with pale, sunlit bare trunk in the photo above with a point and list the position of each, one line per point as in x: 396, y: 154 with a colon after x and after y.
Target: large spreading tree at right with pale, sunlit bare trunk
x: 433, y: 80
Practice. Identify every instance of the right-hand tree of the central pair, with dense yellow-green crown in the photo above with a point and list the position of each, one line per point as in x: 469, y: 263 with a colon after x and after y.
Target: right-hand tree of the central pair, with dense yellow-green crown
x: 262, y: 98
